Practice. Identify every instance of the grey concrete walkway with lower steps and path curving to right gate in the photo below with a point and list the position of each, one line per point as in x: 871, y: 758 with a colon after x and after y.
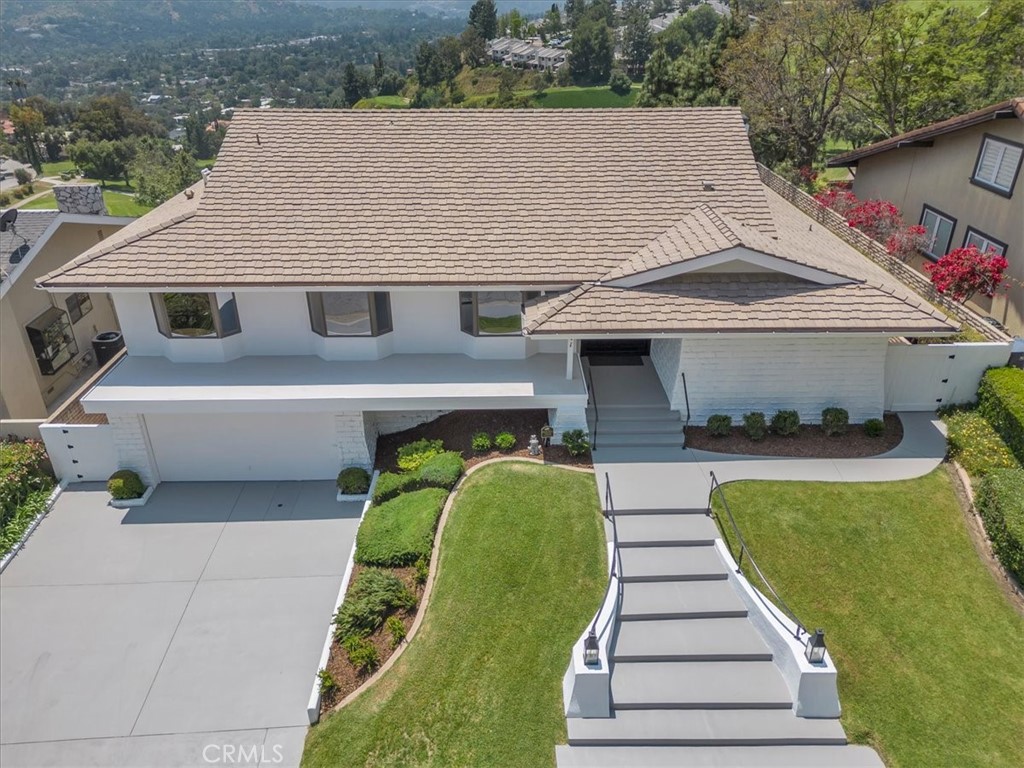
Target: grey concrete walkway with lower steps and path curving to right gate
x: 694, y: 682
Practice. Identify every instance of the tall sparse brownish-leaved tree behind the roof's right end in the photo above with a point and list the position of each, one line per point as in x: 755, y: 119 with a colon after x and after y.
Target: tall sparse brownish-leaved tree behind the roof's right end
x: 792, y: 72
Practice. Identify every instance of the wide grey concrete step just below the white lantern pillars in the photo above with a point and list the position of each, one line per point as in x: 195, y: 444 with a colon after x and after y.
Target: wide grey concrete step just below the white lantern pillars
x: 704, y: 729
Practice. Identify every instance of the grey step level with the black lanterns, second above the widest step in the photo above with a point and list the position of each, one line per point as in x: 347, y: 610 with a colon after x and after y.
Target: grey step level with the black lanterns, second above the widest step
x: 690, y: 641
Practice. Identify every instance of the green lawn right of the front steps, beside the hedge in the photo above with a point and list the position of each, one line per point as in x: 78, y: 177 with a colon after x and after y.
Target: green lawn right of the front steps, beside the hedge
x: 929, y: 651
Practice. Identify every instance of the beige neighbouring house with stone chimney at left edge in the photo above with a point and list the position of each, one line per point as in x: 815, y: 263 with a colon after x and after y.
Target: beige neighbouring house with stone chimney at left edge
x: 46, y: 338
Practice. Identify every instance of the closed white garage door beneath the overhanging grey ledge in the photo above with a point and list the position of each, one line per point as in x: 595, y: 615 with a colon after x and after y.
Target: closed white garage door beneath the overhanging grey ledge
x: 244, y: 447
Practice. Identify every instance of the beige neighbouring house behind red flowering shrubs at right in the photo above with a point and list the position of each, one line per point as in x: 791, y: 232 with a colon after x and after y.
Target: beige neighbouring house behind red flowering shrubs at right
x: 961, y: 180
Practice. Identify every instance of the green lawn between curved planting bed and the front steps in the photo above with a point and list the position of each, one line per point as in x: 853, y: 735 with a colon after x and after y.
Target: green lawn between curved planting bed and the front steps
x: 523, y: 570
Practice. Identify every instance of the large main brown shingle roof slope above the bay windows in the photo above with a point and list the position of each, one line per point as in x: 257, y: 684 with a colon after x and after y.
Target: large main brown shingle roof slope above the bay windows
x: 533, y: 197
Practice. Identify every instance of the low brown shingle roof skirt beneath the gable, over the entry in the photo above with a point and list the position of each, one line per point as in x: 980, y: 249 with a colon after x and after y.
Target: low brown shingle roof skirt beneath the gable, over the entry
x: 733, y: 304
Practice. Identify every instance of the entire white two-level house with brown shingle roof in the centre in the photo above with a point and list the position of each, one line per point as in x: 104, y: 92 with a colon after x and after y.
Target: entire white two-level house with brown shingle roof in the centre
x: 419, y: 272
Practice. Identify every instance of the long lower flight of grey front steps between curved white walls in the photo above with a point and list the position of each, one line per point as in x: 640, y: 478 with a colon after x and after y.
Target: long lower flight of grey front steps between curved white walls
x: 694, y: 682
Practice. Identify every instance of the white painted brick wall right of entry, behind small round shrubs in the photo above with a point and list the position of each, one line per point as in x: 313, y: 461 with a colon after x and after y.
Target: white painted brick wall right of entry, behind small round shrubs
x: 736, y: 375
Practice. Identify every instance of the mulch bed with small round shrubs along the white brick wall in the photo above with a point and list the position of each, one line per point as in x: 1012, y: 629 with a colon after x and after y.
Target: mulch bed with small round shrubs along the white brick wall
x: 812, y: 443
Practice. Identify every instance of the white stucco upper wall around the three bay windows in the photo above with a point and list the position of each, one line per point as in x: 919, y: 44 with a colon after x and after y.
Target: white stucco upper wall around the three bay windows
x: 278, y: 323
